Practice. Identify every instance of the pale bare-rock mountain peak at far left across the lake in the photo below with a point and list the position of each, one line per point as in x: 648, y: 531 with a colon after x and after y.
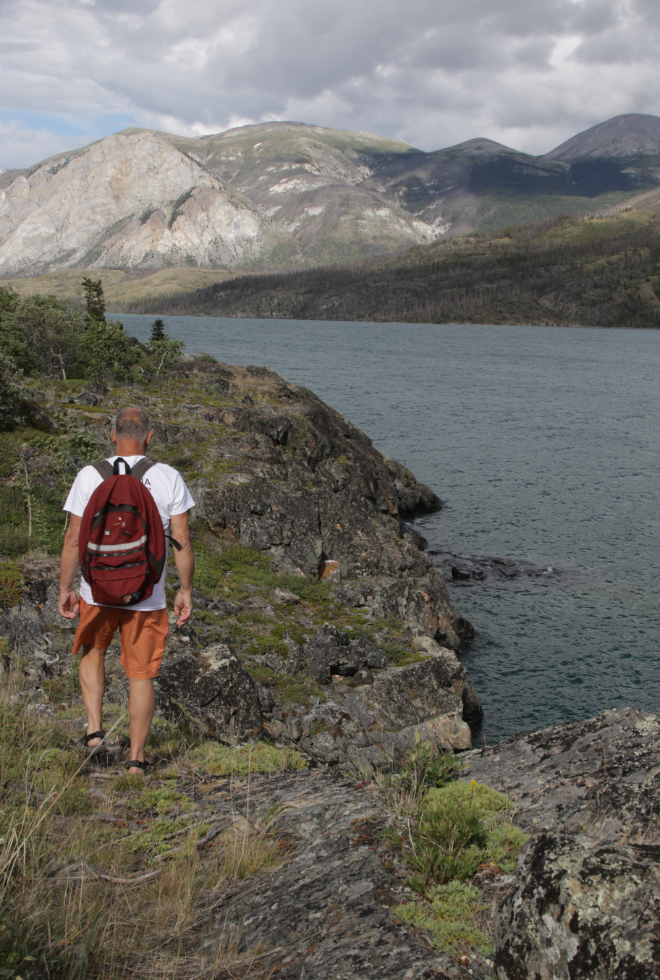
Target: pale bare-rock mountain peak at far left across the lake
x: 128, y: 200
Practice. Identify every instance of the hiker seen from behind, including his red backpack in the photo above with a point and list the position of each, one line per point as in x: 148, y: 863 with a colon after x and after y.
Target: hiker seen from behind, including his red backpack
x: 120, y: 542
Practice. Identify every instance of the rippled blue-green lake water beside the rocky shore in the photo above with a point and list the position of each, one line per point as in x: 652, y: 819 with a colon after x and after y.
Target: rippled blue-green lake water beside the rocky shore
x: 544, y: 445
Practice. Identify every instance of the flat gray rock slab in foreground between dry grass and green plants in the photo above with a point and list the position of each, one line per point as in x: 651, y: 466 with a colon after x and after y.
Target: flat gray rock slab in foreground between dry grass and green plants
x: 327, y: 911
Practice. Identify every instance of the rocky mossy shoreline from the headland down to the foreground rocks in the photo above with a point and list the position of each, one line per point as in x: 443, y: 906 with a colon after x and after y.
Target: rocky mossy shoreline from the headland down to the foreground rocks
x: 322, y: 625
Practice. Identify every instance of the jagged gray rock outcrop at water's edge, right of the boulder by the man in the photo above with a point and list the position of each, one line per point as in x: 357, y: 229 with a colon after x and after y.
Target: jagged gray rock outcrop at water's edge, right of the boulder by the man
x: 370, y: 713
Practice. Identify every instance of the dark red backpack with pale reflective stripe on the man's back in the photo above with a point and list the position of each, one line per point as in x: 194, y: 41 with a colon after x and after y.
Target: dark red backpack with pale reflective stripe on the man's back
x: 122, y: 541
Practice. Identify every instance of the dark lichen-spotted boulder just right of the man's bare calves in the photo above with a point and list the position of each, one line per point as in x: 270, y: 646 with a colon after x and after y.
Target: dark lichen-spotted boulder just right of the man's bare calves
x: 213, y: 690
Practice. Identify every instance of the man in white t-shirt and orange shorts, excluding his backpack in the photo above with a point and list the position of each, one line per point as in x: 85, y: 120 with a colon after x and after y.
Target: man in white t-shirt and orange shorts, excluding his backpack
x: 143, y: 627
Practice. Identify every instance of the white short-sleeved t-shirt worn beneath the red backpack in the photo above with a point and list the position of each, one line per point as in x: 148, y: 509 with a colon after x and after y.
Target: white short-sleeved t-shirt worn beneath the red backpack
x: 171, y: 497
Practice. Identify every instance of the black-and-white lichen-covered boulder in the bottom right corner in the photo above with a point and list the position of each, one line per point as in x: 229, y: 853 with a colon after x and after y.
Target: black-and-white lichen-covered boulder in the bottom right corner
x: 581, y: 908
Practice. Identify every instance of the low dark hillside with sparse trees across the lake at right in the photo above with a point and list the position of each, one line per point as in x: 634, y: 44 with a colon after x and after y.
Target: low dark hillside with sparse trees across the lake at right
x: 589, y: 271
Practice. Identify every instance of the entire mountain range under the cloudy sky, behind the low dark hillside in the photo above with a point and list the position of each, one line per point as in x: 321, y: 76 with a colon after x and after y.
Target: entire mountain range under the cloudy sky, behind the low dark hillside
x: 288, y: 195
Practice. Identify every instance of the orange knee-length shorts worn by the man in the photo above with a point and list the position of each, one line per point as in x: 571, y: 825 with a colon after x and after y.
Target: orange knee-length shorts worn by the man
x: 142, y: 635
